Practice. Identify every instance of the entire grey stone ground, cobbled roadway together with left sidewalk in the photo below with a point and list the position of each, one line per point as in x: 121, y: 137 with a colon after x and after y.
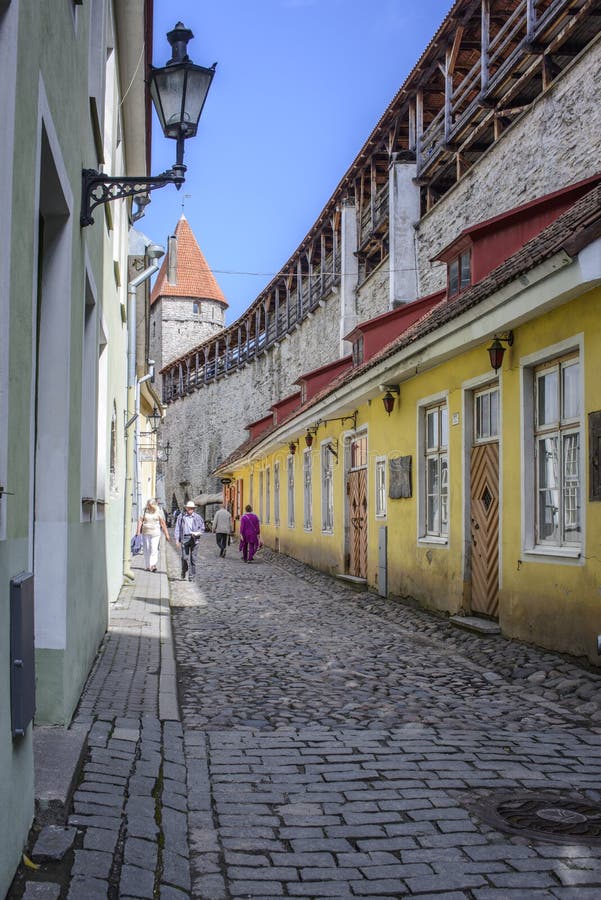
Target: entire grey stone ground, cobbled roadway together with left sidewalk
x: 332, y: 744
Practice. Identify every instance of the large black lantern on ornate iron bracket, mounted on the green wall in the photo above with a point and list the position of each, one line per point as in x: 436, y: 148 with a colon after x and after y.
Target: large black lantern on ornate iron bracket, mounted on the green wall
x: 178, y: 91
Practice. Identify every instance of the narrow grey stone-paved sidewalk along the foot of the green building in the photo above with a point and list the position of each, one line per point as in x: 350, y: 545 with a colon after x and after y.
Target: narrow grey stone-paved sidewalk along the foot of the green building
x: 127, y: 832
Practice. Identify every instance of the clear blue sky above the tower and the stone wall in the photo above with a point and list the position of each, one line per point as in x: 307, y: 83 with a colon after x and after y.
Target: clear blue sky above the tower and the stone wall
x: 299, y: 86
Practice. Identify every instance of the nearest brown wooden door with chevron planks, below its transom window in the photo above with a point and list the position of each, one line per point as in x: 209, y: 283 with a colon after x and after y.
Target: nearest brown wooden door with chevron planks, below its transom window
x: 485, y: 528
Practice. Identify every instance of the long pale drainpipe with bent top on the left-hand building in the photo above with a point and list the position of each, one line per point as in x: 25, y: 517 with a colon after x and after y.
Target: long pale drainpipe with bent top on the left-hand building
x: 154, y: 252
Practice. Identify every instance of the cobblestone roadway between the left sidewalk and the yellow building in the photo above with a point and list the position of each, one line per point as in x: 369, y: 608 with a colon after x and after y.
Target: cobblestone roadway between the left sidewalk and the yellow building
x: 353, y: 746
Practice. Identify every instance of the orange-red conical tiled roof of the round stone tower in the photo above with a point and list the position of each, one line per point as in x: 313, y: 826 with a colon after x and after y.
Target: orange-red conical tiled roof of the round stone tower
x: 193, y: 275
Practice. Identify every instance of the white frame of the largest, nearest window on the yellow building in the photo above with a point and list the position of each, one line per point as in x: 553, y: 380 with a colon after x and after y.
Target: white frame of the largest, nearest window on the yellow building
x: 546, y: 551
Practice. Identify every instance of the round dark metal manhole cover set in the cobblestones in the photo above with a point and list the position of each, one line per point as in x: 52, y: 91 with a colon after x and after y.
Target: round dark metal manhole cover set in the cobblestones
x: 550, y: 817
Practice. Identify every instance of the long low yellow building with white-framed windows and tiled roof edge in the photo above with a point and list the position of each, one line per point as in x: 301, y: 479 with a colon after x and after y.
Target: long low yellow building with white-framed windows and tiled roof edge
x: 478, y: 493
